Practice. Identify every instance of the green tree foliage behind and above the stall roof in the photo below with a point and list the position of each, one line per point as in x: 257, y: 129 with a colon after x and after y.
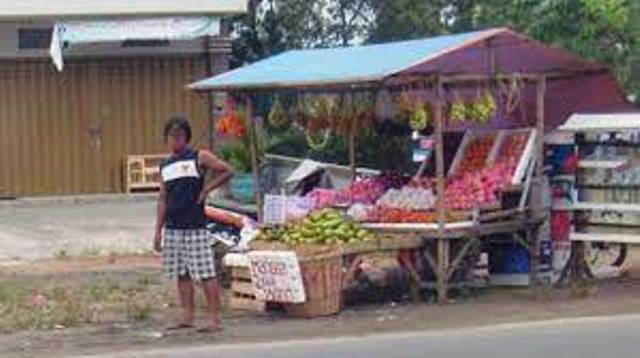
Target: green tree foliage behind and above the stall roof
x: 606, y: 31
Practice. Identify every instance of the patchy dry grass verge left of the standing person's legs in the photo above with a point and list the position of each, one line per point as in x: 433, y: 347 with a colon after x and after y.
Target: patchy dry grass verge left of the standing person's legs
x: 43, y: 303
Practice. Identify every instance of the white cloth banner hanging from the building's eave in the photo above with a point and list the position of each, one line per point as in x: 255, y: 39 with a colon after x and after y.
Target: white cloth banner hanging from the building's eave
x: 66, y: 34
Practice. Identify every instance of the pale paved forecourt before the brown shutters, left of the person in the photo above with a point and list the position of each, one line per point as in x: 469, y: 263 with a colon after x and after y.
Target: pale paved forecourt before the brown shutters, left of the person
x: 47, y: 229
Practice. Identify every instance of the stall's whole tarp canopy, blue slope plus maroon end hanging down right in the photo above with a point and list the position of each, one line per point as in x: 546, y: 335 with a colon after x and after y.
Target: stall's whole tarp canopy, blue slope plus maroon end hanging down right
x: 473, y: 54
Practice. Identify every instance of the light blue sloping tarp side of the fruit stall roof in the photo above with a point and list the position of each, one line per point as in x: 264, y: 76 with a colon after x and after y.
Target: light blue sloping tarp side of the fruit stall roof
x: 341, y: 65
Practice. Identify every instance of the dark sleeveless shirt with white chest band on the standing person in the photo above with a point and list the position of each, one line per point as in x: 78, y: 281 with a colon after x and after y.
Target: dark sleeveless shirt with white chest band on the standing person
x: 183, y: 182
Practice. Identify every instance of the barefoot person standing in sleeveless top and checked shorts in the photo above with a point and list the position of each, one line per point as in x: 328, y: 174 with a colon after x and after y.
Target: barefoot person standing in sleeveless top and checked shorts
x: 181, y: 234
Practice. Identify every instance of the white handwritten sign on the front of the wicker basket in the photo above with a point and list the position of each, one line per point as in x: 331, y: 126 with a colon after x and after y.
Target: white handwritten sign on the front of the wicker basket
x: 276, y: 276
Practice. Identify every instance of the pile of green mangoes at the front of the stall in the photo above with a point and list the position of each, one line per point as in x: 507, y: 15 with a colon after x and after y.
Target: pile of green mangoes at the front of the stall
x: 326, y: 227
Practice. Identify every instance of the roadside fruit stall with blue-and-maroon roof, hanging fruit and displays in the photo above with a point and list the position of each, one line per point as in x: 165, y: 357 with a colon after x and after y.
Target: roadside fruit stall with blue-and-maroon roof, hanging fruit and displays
x: 462, y: 192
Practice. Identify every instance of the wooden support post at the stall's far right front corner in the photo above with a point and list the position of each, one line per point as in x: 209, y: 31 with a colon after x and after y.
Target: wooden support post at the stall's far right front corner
x: 537, y: 189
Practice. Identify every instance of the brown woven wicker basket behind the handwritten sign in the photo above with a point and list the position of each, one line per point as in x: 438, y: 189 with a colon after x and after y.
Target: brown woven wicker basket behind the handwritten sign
x: 322, y: 277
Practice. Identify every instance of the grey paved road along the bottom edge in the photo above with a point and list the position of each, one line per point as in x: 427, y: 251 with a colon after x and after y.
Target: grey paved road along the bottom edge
x: 578, y: 338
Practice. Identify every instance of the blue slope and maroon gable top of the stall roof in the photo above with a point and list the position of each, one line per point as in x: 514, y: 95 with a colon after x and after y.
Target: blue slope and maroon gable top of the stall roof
x: 465, y: 53
